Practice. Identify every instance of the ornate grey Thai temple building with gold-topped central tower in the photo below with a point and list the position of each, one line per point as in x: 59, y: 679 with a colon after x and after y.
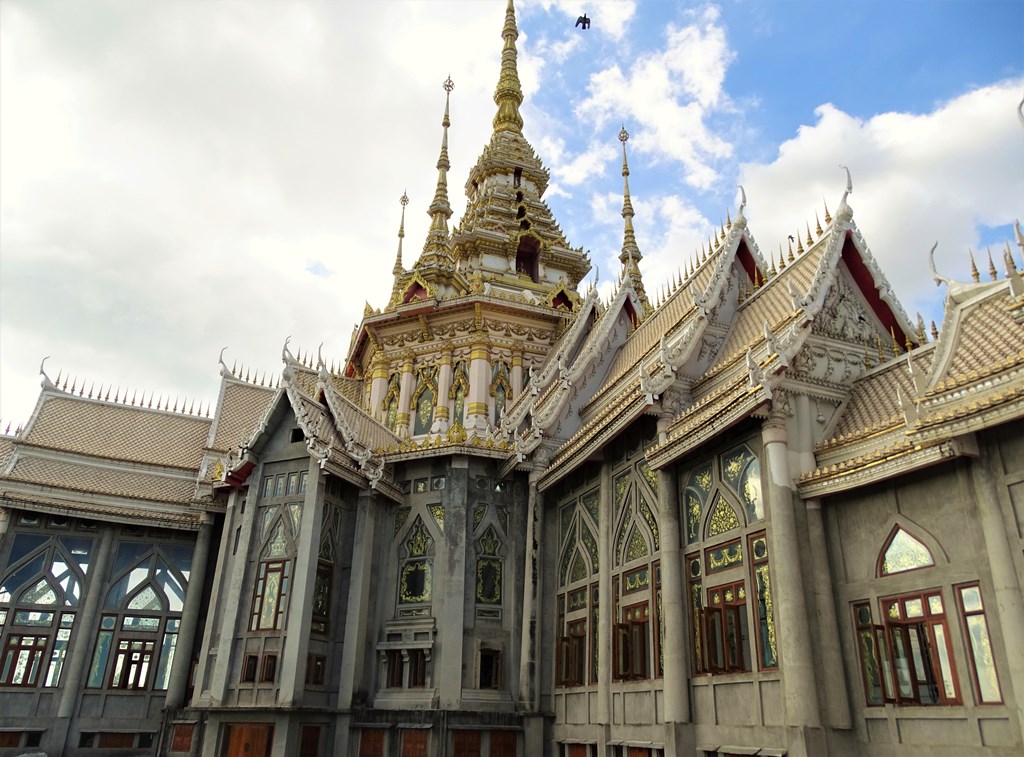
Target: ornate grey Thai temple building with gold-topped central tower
x: 764, y: 514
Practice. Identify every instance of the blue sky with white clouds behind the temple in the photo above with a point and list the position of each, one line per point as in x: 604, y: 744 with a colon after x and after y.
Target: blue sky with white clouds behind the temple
x: 178, y: 178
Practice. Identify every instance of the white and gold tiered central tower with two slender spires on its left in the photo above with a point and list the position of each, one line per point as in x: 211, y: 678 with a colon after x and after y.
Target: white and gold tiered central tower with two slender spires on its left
x: 485, y: 302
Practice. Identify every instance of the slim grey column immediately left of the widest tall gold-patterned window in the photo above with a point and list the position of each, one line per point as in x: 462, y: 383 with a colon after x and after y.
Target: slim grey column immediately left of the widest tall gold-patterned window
x: 677, y: 686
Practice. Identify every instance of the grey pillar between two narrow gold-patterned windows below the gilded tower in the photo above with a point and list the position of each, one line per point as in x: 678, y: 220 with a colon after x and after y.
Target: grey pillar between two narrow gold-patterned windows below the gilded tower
x: 451, y: 563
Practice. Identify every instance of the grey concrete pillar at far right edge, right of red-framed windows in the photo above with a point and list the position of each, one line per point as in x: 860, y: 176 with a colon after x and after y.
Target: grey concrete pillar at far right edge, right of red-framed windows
x: 1009, y: 605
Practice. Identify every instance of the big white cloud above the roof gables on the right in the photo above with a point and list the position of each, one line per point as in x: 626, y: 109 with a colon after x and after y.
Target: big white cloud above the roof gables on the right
x: 917, y: 179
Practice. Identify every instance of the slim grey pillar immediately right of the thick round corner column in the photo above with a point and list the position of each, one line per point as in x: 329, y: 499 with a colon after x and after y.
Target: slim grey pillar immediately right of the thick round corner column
x: 837, y: 699
